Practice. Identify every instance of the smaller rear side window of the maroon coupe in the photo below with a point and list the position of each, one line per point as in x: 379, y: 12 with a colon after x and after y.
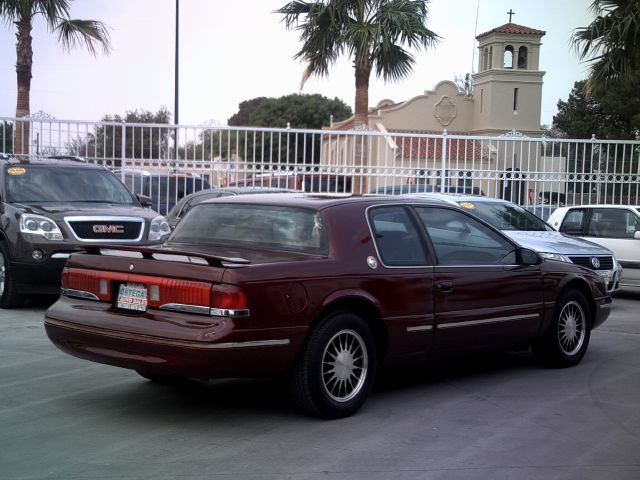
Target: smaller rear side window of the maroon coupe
x: 396, y: 237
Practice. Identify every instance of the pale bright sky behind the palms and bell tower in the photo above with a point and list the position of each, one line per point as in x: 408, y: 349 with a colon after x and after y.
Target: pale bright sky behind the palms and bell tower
x: 232, y: 51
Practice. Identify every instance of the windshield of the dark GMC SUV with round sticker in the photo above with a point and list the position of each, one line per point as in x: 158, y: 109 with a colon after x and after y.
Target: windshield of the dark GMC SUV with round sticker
x: 55, y: 184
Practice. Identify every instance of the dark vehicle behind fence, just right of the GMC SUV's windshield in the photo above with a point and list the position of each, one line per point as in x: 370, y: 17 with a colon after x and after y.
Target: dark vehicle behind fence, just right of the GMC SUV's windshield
x: 164, y: 187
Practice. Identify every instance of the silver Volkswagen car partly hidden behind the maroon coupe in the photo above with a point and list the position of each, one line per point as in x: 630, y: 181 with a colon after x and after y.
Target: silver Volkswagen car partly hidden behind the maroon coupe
x: 532, y: 232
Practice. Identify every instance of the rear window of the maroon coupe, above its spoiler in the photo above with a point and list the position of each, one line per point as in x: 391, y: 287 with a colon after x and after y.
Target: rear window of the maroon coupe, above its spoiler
x: 253, y: 226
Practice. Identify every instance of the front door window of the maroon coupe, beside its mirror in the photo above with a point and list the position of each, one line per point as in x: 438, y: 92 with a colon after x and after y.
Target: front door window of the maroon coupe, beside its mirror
x: 459, y: 239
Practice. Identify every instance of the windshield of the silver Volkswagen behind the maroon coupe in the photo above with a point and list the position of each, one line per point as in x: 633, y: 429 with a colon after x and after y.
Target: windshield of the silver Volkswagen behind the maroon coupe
x: 505, y: 216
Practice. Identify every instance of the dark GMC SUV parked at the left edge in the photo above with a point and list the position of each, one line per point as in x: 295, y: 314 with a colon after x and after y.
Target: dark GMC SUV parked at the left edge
x: 51, y: 208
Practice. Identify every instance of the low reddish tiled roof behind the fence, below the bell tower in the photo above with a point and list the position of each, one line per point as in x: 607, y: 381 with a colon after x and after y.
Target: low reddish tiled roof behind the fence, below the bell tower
x: 421, y: 148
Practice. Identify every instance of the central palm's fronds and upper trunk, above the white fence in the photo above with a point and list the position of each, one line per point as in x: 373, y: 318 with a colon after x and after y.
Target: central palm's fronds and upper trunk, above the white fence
x: 371, y: 32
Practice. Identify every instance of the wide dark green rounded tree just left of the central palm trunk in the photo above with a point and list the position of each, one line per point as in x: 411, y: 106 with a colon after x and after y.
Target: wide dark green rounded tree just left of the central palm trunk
x: 295, y: 111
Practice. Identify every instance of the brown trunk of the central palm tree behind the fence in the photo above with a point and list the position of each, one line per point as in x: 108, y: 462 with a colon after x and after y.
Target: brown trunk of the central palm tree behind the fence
x: 361, y: 122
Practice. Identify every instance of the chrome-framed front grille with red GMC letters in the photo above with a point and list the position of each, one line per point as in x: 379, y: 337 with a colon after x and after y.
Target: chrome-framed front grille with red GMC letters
x: 106, y: 229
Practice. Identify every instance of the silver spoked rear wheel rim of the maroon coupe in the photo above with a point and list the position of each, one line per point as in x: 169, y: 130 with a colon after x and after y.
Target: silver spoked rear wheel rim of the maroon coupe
x: 344, y: 365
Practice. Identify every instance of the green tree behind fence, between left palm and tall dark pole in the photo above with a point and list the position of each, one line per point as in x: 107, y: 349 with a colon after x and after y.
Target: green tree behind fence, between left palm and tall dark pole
x: 141, y: 142
